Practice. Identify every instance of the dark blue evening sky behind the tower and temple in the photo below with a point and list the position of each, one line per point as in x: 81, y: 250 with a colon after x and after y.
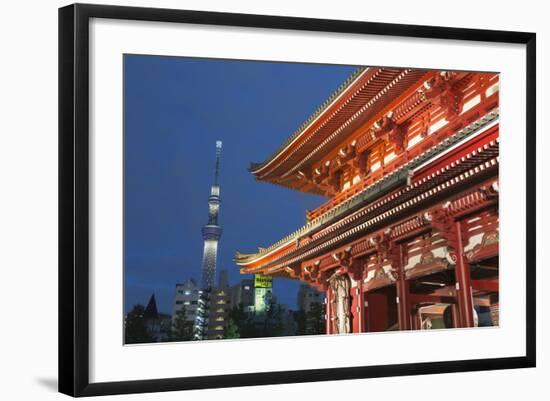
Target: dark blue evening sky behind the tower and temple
x: 175, y: 109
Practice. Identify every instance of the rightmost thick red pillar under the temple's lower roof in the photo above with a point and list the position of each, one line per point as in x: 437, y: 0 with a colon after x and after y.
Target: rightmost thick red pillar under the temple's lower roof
x: 463, y: 282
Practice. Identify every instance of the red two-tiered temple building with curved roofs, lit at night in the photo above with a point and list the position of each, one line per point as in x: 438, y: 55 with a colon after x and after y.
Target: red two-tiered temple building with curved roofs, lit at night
x: 409, y: 236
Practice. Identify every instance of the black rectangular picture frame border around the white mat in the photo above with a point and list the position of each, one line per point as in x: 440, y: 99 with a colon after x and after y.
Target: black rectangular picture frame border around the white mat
x: 74, y: 194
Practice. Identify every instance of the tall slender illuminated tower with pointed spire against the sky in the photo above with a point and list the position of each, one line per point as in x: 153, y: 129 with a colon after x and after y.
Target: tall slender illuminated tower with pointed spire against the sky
x: 211, y: 234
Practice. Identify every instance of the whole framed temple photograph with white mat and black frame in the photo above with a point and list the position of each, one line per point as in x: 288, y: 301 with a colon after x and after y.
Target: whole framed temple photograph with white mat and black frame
x: 237, y: 189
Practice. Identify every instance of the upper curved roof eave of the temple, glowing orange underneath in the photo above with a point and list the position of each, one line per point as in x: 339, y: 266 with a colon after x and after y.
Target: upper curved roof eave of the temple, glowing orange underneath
x: 363, y: 95
